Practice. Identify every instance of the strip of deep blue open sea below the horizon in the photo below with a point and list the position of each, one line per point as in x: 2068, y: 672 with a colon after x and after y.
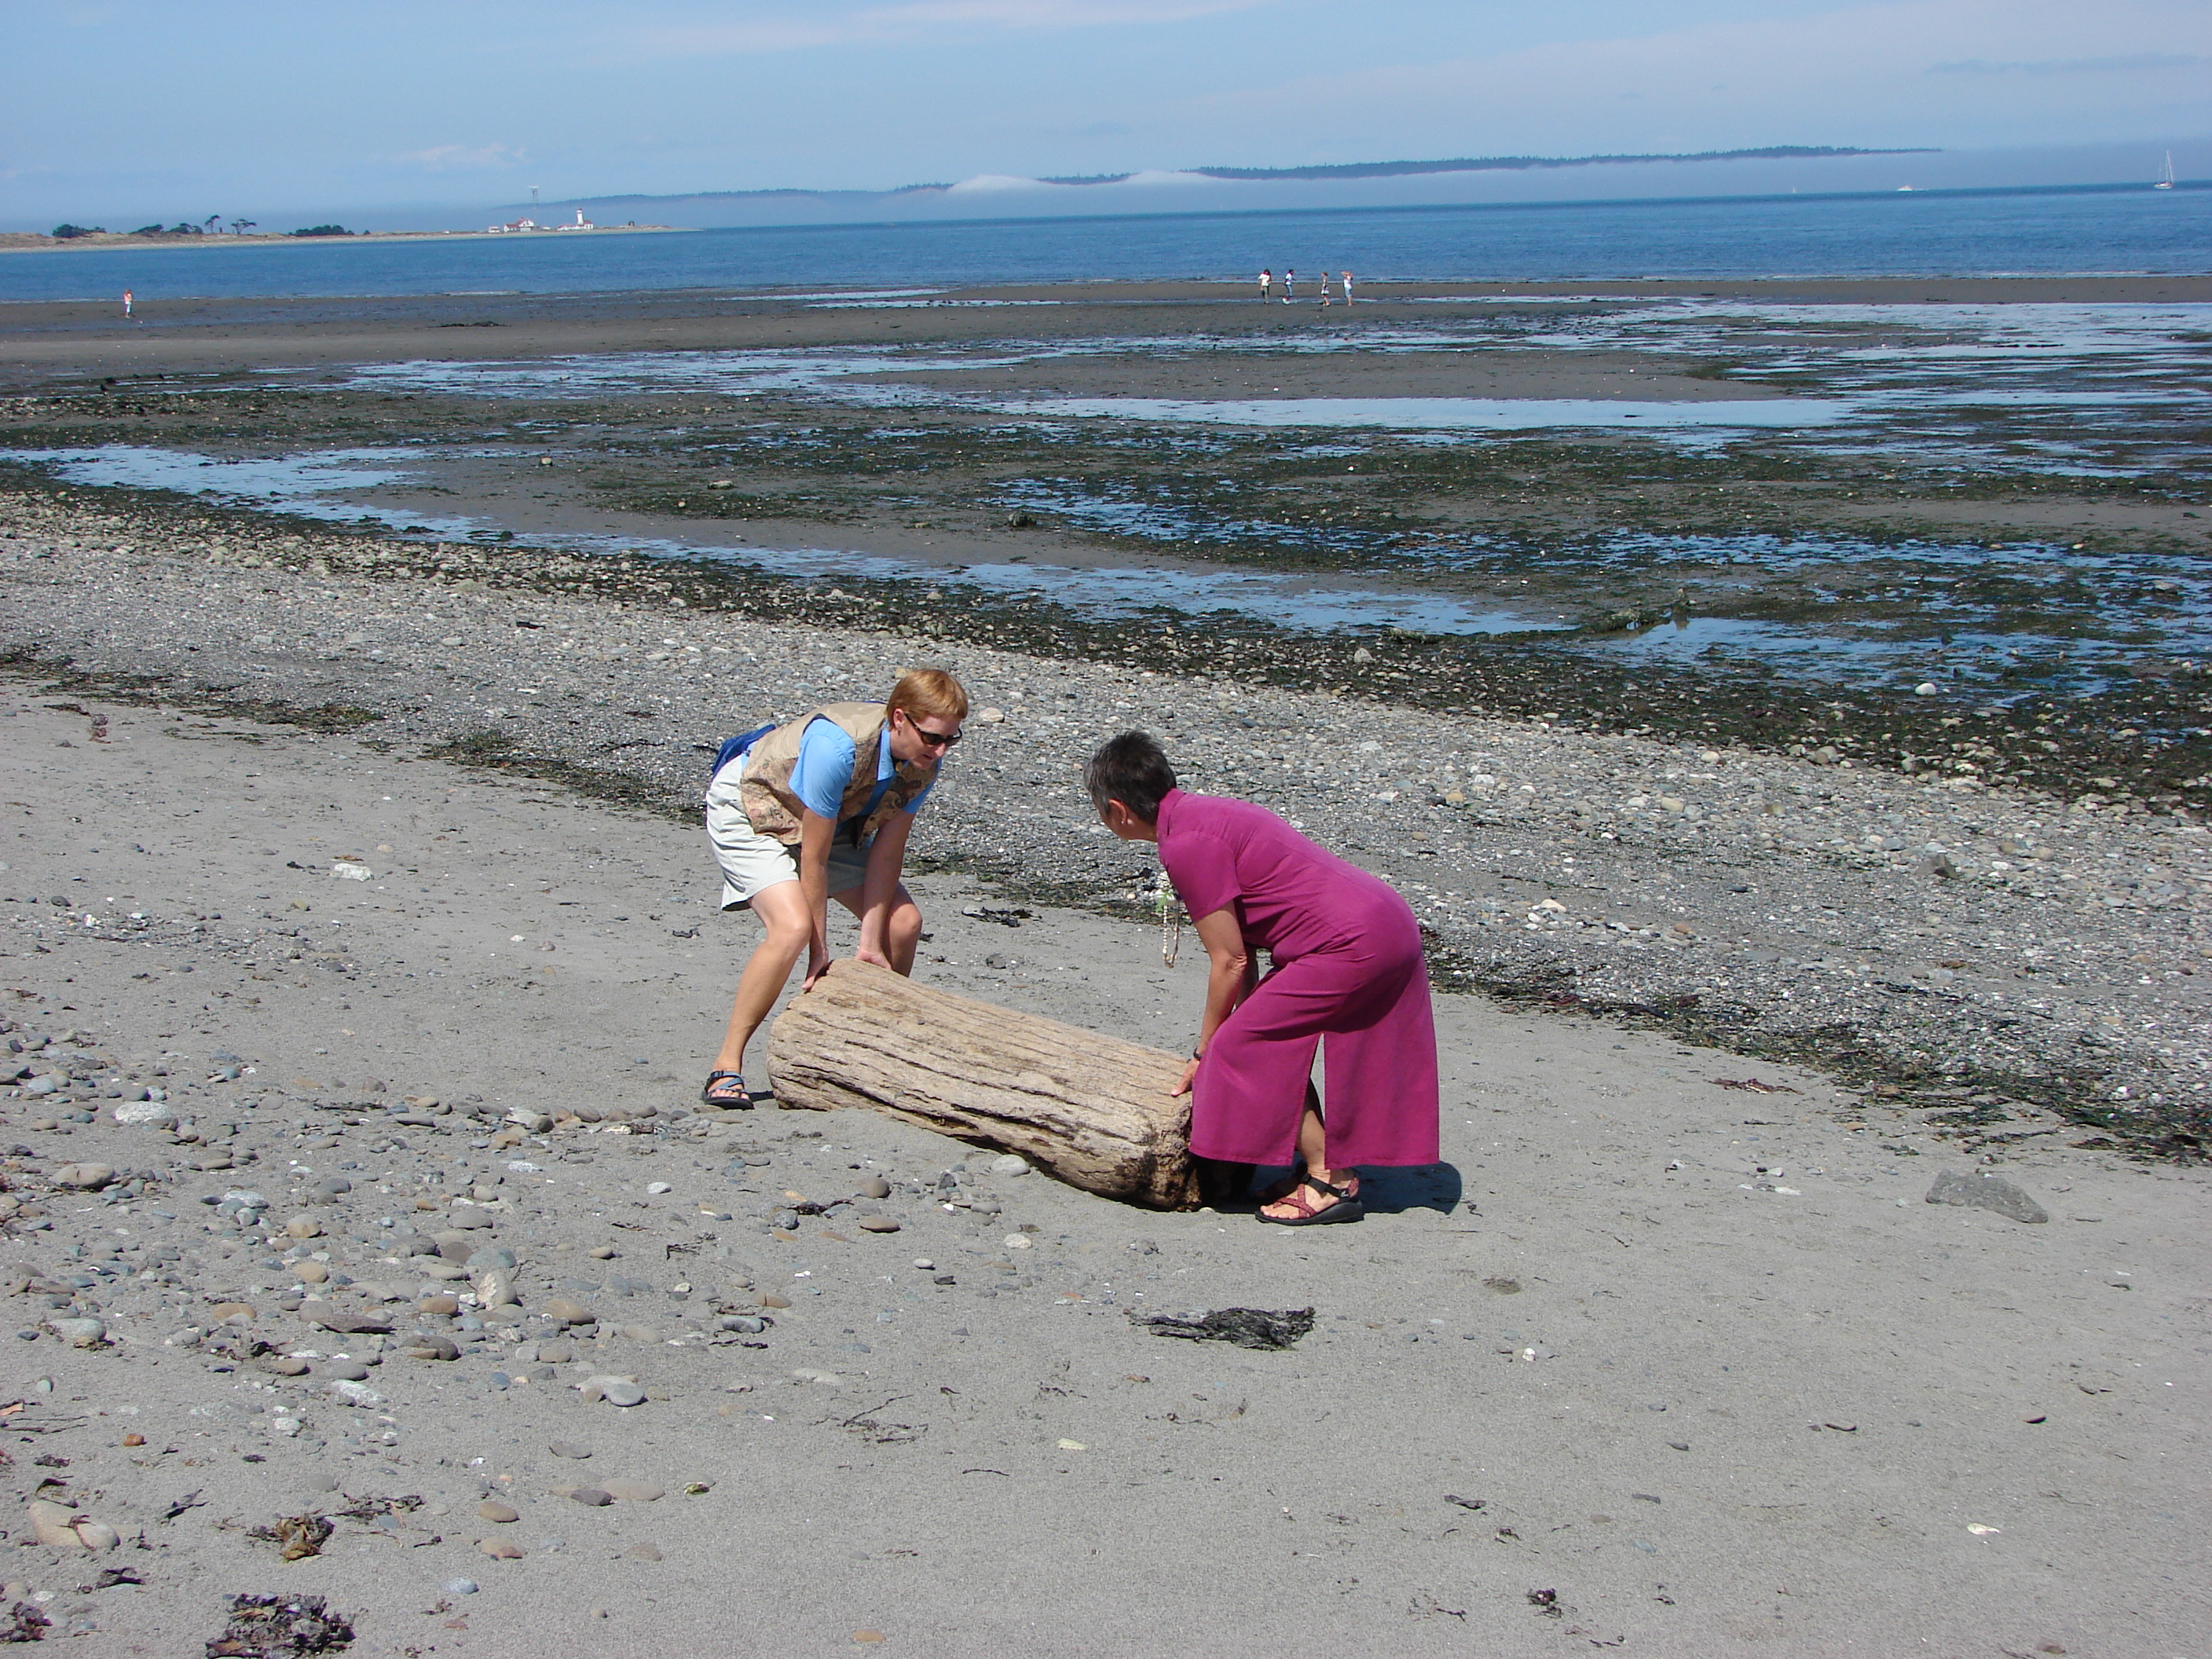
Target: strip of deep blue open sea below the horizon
x: 1932, y: 233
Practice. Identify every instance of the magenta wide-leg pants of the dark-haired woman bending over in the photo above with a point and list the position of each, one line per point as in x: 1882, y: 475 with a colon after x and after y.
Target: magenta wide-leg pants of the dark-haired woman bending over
x: 1368, y: 1003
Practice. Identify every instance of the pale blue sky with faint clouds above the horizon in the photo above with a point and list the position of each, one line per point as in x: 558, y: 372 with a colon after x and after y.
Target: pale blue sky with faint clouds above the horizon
x: 244, y: 107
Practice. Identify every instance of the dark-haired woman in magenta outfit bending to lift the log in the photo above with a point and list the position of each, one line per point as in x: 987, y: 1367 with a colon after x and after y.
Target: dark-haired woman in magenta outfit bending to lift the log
x: 1348, y: 974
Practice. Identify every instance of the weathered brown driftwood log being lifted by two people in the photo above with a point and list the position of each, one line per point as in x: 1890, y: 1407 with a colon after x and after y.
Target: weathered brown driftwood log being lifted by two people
x: 1087, y: 1109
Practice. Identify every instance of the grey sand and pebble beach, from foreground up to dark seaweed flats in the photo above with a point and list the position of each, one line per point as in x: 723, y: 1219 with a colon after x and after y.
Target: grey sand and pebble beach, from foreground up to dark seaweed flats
x: 382, y: 875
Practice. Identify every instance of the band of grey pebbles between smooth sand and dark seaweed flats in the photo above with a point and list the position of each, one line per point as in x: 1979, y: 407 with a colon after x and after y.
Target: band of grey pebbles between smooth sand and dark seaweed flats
x: 2001, y: 957
